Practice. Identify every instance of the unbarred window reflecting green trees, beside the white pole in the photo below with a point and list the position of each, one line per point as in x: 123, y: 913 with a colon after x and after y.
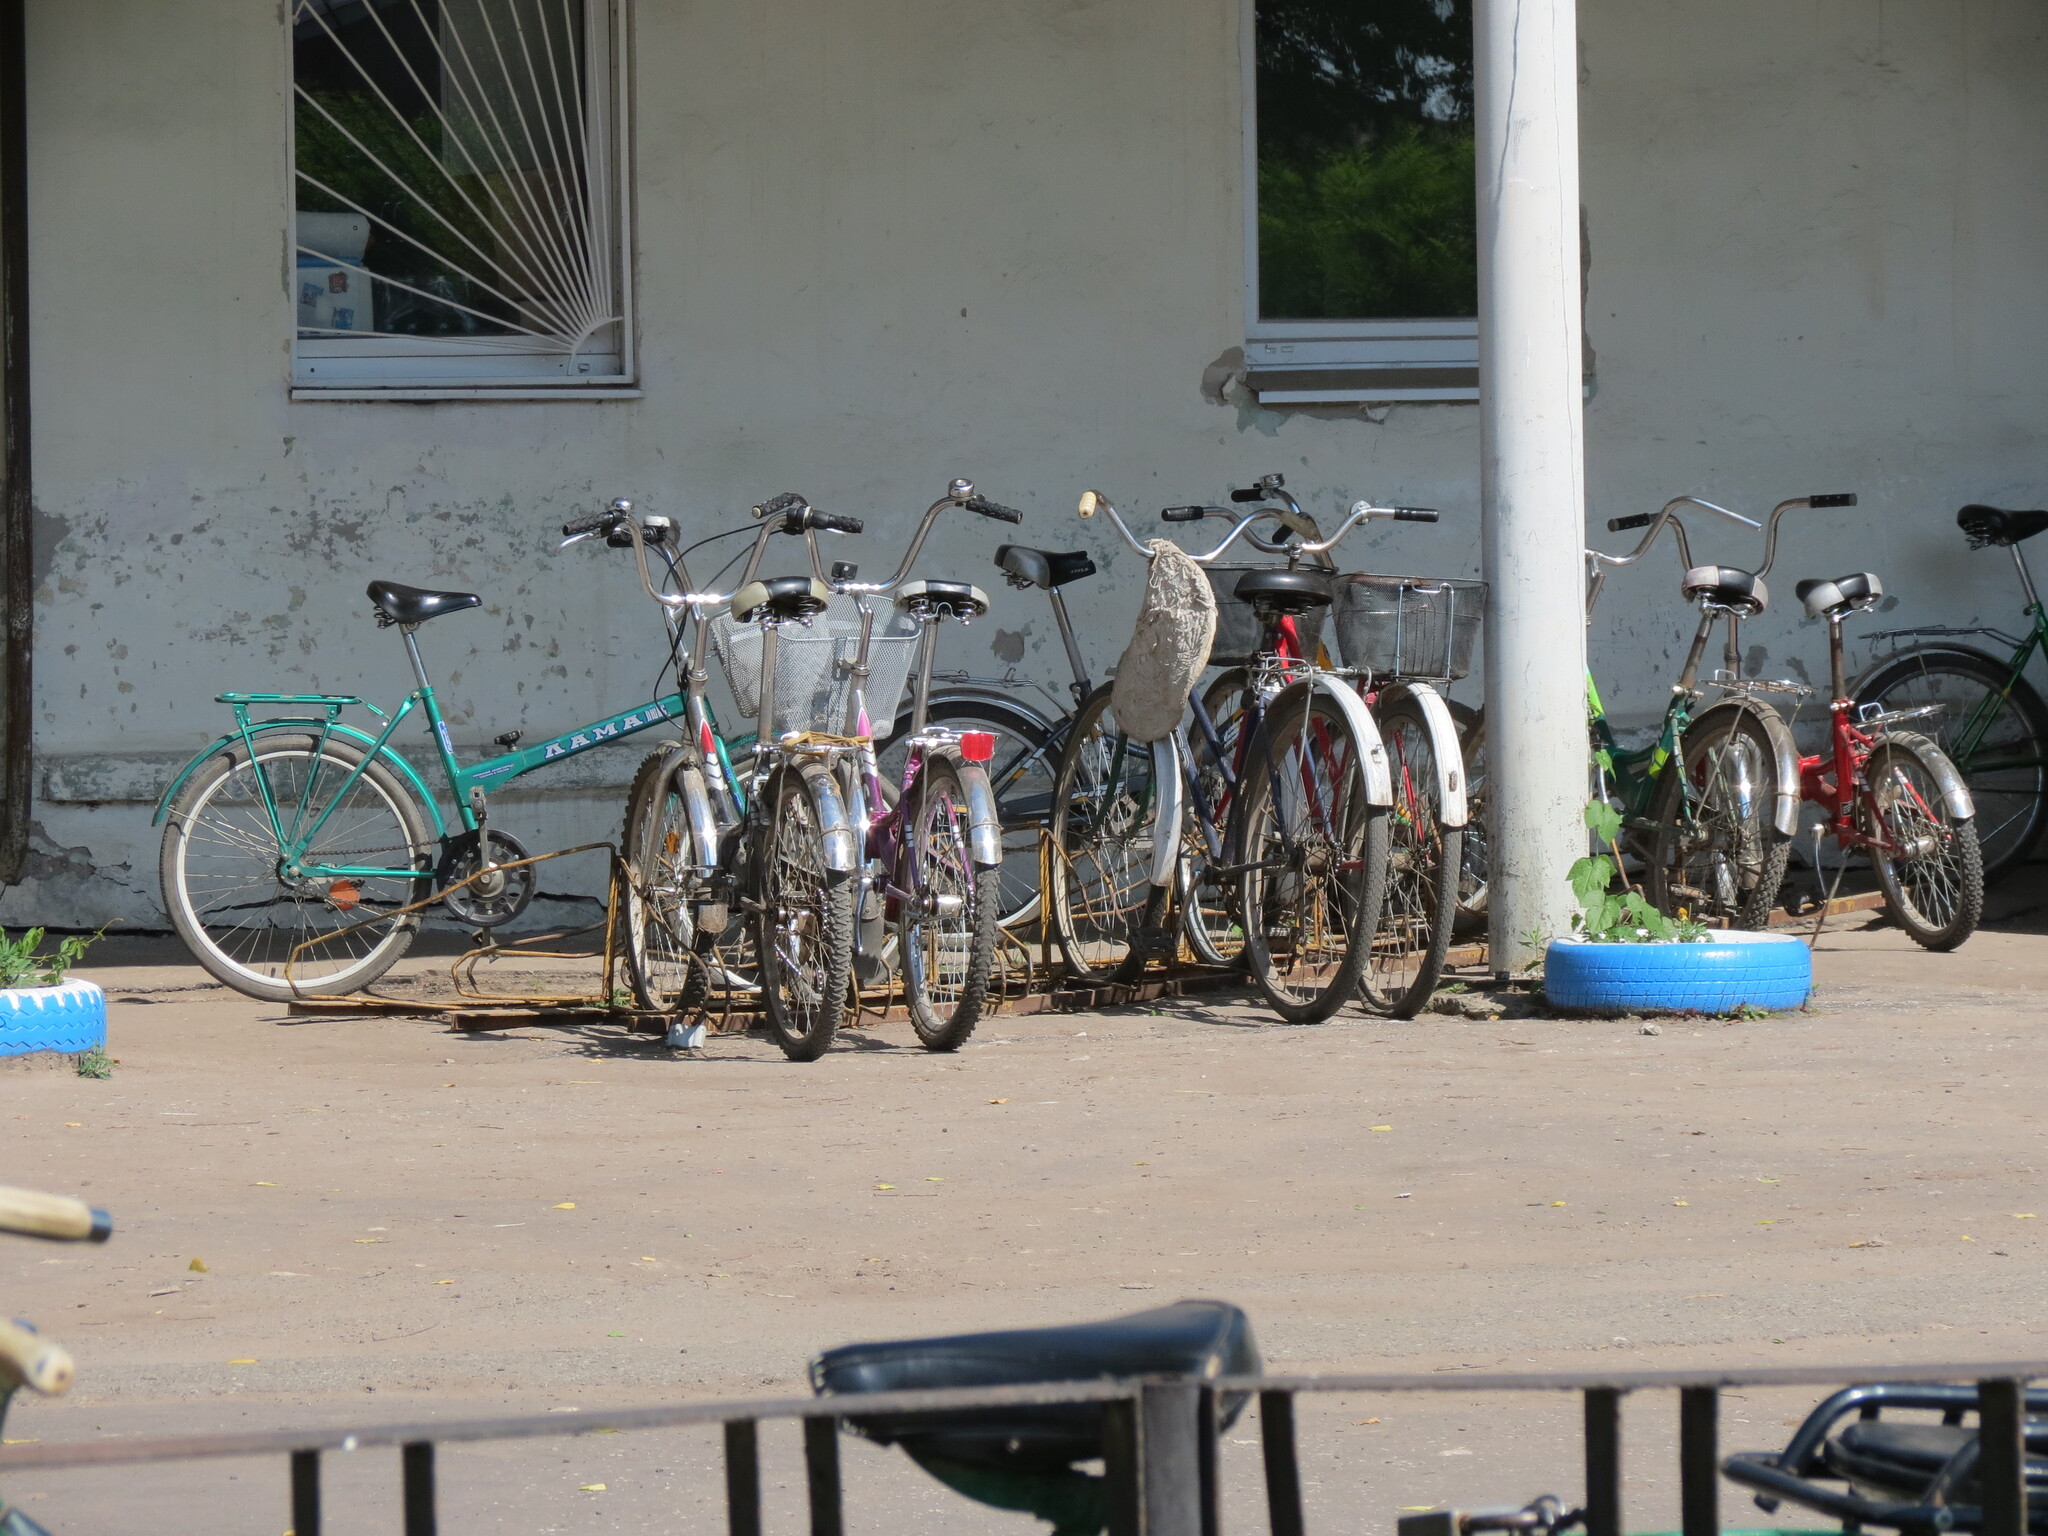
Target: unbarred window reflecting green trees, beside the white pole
x: 1363, y: 251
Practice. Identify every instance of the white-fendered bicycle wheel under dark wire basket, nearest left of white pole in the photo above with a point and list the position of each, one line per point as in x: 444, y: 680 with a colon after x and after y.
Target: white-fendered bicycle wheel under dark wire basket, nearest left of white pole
x: 1422, y: 873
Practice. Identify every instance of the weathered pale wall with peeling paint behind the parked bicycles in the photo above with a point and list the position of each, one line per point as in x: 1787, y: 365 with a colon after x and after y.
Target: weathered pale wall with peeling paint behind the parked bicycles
x: 894, y: 243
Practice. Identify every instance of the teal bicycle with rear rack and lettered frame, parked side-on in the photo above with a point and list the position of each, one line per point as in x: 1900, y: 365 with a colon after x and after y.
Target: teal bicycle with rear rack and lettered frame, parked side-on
x: 292, y: 833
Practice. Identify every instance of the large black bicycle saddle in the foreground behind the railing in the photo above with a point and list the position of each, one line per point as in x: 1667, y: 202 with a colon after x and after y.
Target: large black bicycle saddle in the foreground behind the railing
x: 1191, y: 1338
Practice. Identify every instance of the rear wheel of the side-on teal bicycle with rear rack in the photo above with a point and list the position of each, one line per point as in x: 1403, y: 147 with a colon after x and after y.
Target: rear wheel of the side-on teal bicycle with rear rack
x: 224, y: 873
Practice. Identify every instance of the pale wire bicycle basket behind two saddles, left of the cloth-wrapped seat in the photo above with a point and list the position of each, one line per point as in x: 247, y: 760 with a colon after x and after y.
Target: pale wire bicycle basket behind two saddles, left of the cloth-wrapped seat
x: 816, y: 667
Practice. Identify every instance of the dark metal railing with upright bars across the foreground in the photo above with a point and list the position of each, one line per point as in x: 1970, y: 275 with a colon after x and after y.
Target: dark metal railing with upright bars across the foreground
x: 1160, y: 1441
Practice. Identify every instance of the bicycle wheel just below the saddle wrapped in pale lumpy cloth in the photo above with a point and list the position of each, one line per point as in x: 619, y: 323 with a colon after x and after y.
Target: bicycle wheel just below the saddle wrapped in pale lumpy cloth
x: 1105, y: 810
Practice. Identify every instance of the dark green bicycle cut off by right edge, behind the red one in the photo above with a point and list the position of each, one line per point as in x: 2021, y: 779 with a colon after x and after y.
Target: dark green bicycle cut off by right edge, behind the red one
x: 1994, y: 724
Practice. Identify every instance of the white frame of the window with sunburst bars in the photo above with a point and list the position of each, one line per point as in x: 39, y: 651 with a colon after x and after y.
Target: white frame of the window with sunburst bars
x: 380, y: 368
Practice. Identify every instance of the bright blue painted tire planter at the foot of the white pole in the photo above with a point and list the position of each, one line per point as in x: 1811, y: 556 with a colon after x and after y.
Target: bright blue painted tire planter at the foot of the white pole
x: 1727, y: 972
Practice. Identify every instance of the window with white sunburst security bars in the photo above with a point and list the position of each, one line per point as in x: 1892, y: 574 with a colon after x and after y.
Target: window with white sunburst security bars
x: 458, y: 212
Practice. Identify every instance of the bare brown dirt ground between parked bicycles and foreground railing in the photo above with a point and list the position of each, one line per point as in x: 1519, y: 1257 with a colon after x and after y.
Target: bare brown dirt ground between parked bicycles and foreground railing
x: 400, y: 1222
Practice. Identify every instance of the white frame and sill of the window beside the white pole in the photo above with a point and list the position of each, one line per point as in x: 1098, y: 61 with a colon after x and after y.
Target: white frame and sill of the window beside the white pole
x: 1338, y: 361
